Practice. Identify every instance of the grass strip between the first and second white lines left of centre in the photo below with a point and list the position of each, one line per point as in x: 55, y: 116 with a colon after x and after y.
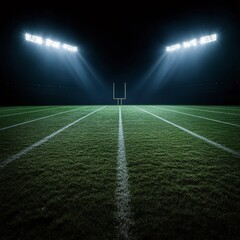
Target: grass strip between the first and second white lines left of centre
x: 14, y: 140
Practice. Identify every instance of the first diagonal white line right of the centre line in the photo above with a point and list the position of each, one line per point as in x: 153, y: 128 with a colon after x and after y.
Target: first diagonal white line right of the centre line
x: 215, y: 144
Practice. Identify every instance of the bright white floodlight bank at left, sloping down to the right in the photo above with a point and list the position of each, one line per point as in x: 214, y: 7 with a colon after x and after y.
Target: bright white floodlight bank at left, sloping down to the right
x: 49, y: 43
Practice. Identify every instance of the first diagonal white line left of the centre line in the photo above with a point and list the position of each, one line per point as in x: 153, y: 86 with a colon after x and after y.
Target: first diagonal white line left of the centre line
x: 40, y: 142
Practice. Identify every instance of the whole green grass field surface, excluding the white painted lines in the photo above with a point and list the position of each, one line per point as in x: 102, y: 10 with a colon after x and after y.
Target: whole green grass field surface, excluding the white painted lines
x: 181, y: 187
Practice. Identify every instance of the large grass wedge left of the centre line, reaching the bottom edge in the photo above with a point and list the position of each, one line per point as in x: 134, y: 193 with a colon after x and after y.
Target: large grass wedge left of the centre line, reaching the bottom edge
x: 65, y: 189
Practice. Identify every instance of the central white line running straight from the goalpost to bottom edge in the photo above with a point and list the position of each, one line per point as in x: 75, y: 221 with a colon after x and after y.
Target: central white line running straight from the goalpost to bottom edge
x: 124, y: 215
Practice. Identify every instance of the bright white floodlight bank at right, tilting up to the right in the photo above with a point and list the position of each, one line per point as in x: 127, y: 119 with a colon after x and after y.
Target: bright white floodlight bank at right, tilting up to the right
x: 193, y: 43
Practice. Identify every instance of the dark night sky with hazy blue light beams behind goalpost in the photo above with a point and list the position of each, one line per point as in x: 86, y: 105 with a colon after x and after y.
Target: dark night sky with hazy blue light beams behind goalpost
x: 120, y: 42
